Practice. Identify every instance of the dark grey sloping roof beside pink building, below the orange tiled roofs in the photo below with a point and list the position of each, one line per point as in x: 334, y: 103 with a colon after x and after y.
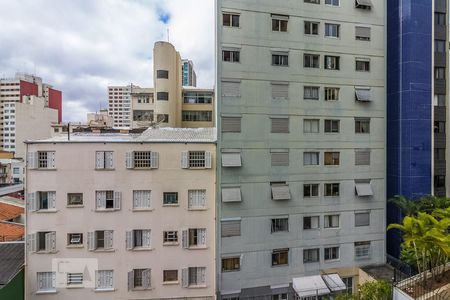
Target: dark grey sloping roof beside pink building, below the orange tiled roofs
x: 11, y: 260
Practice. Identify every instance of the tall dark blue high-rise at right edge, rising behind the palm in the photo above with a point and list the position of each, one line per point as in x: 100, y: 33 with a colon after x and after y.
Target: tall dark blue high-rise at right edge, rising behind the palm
x: 417, y: 114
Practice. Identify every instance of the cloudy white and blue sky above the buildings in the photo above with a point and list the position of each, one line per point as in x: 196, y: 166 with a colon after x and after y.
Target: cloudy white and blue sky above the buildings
x: 82, y: 46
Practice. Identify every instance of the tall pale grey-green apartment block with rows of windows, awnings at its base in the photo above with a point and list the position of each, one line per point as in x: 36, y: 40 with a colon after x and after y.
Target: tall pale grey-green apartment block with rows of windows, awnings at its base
x: 301, y: 159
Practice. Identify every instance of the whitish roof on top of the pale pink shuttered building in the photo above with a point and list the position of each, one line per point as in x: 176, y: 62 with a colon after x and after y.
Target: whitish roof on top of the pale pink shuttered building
x: 151, y: 135
